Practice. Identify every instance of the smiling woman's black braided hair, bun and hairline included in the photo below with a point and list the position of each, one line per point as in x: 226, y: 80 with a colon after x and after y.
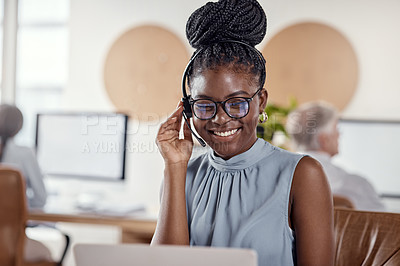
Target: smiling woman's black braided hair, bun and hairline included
x: 210, y: 28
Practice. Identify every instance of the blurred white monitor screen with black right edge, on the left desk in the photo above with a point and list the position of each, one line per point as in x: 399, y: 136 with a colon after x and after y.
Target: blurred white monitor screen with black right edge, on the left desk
x: 85, y: 145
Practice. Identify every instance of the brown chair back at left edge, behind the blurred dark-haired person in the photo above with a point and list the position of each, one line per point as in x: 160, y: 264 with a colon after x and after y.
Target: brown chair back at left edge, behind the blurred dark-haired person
x: 12, y: 216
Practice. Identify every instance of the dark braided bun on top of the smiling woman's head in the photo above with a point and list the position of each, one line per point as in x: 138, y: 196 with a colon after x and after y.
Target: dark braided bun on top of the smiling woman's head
x: 241, y: 20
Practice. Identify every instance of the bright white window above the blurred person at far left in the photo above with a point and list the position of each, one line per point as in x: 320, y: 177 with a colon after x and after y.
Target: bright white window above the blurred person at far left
x: 42, y: 60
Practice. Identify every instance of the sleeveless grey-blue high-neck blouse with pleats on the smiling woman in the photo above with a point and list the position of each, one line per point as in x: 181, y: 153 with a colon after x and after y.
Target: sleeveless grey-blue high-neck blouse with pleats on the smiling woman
x: 243, y: 202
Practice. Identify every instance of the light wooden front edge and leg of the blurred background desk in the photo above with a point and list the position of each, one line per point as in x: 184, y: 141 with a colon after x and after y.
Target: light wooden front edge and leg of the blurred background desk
x: 135, y: 229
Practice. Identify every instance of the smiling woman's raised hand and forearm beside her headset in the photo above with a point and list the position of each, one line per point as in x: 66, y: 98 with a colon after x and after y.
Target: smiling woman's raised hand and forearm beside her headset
x: 172, y: 225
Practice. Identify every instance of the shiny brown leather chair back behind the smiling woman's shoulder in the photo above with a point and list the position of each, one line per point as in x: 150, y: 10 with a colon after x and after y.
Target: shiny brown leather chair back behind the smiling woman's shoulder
x: 367, y: 238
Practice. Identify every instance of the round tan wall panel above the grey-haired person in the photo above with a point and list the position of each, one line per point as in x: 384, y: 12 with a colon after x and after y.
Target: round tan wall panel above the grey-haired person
x: 311, y: 61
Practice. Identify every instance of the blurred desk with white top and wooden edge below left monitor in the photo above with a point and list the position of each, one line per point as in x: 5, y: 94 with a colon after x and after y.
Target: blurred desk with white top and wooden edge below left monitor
x: 75, y: 202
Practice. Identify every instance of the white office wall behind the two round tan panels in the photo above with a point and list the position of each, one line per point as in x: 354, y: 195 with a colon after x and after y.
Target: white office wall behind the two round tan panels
x: 369, y: 25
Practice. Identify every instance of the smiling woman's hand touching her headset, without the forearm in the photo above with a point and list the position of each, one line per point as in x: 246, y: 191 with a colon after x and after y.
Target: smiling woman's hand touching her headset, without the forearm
x: 173, y: 149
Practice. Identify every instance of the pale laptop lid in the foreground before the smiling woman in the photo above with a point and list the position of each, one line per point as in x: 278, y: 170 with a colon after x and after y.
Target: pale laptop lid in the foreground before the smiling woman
x: 145, y: 255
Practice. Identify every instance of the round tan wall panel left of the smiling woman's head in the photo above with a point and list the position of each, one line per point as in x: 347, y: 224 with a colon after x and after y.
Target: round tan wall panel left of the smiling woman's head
x: 143, y: 70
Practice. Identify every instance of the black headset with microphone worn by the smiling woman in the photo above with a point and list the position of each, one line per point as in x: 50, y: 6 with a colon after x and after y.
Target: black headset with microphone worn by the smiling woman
x: 187, y: 108
